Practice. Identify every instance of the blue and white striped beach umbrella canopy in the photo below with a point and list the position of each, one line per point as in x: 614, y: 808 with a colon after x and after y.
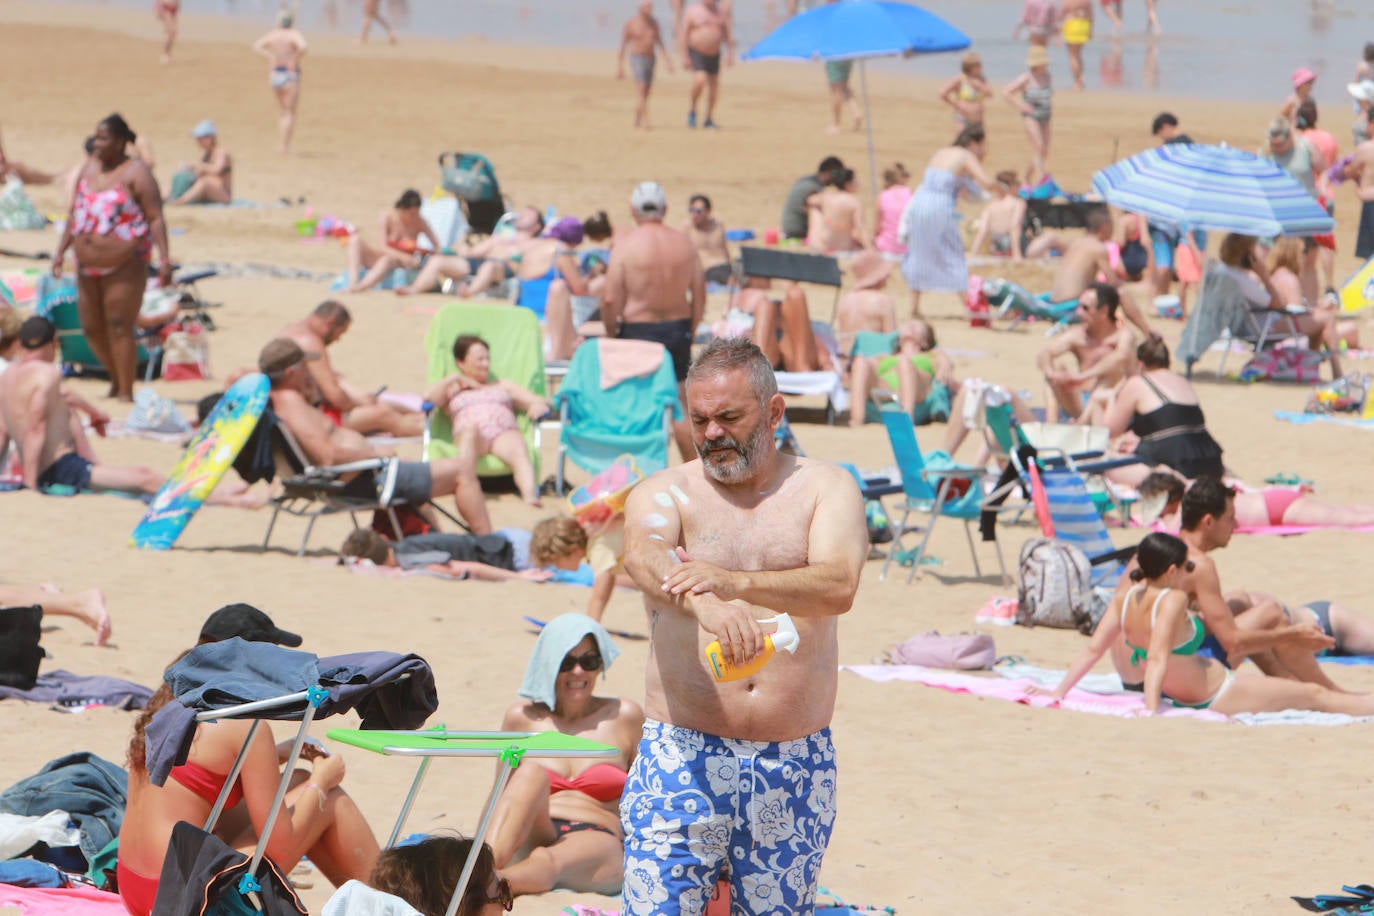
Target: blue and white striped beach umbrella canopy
x: 1213, y: 187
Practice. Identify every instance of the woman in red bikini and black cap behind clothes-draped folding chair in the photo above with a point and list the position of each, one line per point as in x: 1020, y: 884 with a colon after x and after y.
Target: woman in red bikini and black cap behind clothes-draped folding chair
x: 318, y: 818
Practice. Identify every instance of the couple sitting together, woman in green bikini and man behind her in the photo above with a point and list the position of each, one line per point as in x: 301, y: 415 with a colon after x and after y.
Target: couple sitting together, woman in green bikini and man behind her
x: 1173, y: 634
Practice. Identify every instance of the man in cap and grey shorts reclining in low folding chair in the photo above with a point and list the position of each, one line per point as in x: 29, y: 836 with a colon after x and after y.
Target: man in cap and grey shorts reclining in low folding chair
x: 326, y: 444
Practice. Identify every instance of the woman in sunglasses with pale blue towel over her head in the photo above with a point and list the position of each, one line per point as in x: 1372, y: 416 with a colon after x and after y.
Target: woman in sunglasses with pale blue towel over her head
x: 559, y: 822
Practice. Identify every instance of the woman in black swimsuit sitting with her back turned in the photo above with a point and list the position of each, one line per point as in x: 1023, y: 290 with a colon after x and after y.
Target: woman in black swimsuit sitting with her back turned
x: 1160, y: 409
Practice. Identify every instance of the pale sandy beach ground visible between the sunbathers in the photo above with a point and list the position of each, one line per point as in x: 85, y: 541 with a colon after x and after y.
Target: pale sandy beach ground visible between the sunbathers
x: 947, y: 803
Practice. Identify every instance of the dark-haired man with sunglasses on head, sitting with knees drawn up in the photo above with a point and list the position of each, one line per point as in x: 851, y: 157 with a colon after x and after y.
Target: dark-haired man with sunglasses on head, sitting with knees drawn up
x: 1100, y: 344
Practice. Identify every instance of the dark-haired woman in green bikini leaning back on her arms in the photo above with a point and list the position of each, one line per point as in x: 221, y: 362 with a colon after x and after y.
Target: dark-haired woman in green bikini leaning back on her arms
x: 1156, y: 638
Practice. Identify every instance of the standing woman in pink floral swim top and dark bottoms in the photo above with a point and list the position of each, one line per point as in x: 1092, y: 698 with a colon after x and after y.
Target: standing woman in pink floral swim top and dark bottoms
x: 115, y: 223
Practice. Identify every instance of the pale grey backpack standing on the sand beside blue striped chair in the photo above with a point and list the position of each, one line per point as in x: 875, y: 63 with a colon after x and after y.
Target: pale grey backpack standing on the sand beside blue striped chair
x: 1055, y: 587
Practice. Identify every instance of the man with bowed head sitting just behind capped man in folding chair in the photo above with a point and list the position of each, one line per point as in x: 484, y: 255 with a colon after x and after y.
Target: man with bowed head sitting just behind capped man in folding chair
x: 352, y: 409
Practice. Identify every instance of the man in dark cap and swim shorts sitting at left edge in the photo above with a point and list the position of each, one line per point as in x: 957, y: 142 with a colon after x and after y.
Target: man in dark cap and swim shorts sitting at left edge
x: 36, y: 414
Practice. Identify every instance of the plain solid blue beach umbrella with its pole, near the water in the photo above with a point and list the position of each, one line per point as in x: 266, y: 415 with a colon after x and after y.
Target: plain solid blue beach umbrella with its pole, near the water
x: 858, y: 31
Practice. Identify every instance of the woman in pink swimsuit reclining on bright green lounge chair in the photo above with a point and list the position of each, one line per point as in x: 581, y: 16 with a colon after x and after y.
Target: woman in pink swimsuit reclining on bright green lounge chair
x: 483, y: 411
